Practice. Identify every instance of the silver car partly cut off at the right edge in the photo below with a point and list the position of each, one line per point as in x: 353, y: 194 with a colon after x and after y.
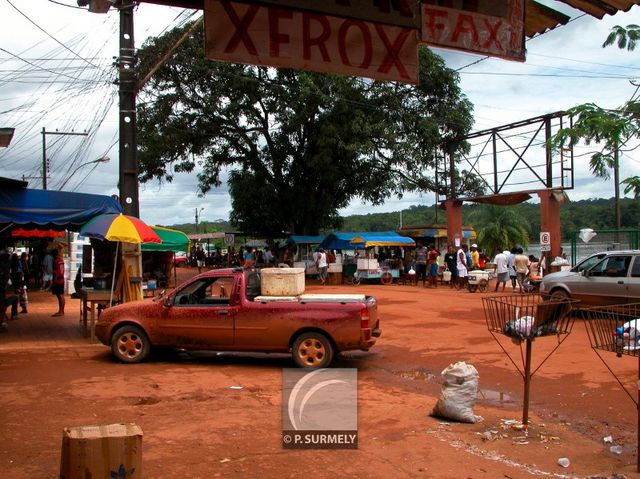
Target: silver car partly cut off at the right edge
x: 610, y: 277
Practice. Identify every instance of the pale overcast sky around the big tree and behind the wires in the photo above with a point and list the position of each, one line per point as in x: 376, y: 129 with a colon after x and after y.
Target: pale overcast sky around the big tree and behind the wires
x: 55, y: 73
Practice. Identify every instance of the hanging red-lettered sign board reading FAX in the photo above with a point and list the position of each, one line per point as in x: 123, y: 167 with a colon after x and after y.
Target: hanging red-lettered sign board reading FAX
x: 487, y: 27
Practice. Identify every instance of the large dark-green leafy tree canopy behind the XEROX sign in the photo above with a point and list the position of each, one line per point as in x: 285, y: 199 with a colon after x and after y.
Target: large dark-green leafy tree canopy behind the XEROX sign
x: 297, y: 145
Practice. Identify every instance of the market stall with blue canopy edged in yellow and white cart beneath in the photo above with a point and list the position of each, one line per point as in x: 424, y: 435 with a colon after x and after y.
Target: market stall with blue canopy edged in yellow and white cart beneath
x: 382, y: 257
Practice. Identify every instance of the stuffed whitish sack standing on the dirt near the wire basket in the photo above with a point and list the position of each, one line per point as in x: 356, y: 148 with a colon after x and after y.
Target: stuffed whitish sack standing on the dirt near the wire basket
x: 459, y: 393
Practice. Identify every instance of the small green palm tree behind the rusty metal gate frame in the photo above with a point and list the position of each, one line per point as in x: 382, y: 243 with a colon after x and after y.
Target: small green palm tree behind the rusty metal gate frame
x: 500, y: 227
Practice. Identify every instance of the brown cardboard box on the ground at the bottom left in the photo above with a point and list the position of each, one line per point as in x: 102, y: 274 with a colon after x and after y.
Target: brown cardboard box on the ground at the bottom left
x: 112, y: 450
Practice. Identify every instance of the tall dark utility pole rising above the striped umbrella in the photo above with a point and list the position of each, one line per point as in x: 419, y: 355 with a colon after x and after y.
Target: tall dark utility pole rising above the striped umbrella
x: 128, y: 88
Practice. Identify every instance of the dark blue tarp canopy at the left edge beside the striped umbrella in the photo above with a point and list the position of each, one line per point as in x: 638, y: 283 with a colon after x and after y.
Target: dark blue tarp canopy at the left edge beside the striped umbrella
x: 49, y: 209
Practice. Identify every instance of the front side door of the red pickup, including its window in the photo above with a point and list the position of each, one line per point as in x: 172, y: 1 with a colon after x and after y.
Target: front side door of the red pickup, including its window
x: 201, y: 315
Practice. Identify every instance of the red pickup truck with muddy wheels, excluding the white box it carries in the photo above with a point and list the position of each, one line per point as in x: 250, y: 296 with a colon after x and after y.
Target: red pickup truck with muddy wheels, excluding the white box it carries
x: 222, y: 310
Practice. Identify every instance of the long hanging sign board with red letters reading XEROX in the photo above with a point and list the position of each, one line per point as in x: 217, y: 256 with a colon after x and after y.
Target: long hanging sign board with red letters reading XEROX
x: 271, y: 36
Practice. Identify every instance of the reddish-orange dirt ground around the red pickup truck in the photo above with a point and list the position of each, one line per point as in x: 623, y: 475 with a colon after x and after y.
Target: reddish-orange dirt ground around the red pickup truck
x: 196, y: 426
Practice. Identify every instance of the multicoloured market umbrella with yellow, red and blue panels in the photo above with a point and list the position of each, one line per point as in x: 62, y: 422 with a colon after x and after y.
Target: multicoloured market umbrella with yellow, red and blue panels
x: 119, y: 227
